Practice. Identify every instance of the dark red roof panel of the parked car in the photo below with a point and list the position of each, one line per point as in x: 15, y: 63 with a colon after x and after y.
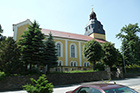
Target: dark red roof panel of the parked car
x: 104, y: 86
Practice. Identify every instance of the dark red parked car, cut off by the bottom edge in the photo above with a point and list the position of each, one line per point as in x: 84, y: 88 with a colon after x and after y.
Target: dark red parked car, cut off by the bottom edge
x: 103, y: 88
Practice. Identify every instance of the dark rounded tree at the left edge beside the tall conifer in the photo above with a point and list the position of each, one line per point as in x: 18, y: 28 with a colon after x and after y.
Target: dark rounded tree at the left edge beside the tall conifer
x: 9, y: 56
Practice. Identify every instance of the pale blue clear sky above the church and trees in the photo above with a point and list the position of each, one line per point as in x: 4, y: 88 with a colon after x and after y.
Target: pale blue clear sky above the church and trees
x: 71, y: 15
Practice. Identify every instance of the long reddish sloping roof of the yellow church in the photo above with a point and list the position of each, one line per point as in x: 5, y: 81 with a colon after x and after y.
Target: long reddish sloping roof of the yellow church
x: 69, y: 35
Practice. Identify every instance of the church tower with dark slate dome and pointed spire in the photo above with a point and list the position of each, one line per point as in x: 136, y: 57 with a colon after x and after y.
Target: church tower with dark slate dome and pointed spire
x: 94, y: 28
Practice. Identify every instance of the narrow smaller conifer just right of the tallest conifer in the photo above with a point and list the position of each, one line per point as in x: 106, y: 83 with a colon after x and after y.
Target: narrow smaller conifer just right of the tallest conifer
x: 50, y: 53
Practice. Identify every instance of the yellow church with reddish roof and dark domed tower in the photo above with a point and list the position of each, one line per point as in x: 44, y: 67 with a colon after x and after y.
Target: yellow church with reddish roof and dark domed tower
x: 69, y: 45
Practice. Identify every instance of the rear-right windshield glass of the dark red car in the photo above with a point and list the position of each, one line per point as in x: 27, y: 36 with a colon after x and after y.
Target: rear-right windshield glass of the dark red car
x: 120, y: 90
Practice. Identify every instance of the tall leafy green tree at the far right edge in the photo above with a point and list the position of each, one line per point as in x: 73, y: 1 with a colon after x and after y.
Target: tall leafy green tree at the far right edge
x: 130, y: 43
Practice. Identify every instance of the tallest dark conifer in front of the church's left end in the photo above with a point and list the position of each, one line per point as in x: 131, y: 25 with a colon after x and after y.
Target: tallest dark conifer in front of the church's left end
x: 31, y: 45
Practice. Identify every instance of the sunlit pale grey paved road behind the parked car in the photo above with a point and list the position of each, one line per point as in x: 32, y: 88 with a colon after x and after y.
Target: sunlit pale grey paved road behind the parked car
x: 131, y: 82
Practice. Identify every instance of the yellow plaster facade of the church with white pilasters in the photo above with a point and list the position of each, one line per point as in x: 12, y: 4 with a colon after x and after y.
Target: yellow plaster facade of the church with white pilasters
x: 66, y: 49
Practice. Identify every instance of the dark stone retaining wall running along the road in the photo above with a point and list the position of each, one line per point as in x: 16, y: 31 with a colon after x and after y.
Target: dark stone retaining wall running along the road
x: 16, y: 82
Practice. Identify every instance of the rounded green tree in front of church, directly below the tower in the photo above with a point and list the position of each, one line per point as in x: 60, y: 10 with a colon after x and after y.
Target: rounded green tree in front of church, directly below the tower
x: 93, y: 52
